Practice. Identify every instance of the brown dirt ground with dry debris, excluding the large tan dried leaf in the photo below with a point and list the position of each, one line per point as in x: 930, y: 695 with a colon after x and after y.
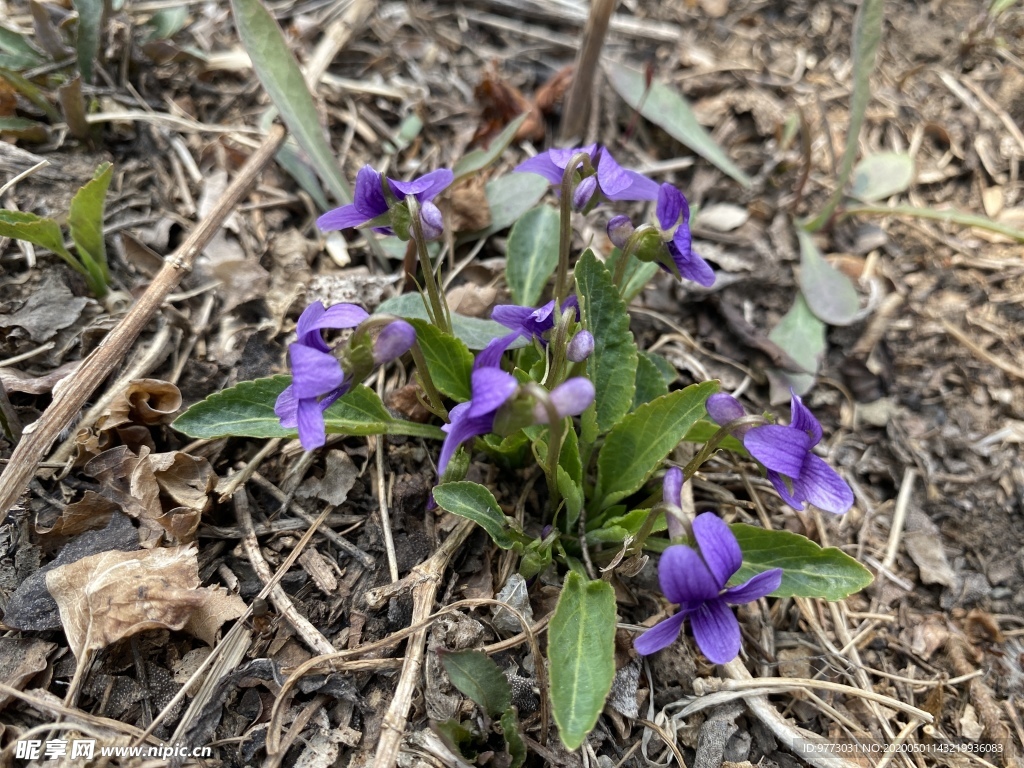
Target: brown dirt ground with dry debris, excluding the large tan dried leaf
x: 922, y: 399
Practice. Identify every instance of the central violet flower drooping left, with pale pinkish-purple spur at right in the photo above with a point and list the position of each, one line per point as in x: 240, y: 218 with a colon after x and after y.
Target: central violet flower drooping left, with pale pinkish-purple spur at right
x: 493, y: 389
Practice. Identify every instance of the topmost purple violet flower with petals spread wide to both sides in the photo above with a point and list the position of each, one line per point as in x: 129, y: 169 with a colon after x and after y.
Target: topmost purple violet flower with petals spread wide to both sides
x: 612, y: 181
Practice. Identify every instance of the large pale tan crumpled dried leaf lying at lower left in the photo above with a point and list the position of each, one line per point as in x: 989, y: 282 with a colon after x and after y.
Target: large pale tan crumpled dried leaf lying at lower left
x: 113, y: 595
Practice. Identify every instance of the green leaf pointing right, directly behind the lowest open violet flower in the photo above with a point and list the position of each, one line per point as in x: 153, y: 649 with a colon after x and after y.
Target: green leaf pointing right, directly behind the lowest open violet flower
x: 808, y: 571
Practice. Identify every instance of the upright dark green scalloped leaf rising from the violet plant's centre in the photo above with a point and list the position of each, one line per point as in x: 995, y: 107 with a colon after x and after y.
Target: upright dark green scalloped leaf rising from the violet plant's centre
x: 613, y: 364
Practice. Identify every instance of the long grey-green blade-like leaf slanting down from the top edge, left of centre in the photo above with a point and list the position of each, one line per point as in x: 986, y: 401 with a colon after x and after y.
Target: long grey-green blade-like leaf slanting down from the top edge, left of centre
x: 281, y: 76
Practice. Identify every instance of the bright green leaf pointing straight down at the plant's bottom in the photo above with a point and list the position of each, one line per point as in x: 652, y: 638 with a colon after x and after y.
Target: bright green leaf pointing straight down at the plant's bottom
x: 581, y: 649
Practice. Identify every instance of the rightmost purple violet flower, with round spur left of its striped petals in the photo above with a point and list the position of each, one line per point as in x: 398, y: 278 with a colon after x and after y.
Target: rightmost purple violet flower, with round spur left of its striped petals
x: 786, y: 454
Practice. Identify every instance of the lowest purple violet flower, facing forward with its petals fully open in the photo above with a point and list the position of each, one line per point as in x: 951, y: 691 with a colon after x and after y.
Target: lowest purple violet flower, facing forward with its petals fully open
x: 696, y: 580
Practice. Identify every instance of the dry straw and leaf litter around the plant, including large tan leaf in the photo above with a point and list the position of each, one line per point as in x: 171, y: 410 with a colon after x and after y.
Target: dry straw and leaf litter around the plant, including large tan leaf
x: 138, y: 495
